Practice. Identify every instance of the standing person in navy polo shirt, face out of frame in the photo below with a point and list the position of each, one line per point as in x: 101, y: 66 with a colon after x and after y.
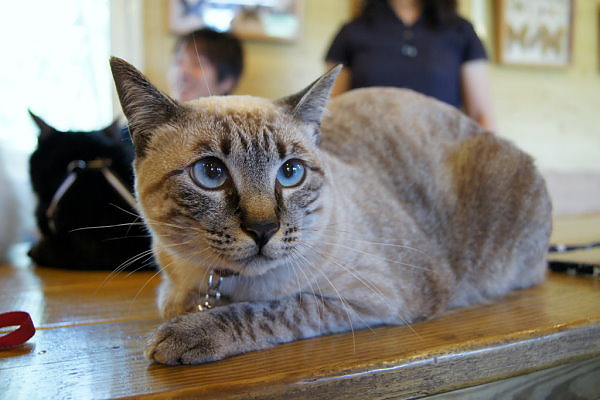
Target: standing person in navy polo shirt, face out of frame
x: 422, y: 45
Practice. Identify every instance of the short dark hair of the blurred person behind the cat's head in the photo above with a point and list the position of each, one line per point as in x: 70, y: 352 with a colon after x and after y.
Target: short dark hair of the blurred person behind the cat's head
x: 223, y: 50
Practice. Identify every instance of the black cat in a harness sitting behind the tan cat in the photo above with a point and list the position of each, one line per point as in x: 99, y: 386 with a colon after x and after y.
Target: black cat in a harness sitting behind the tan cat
x: 91, y: 227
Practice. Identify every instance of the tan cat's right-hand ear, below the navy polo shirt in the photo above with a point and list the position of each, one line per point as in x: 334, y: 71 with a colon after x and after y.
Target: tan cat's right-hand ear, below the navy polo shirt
x: 309, y: 104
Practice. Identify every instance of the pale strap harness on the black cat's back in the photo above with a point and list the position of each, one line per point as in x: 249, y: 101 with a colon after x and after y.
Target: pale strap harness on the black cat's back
x: 74, y: 170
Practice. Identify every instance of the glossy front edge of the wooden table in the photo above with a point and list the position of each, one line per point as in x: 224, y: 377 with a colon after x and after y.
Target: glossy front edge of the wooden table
x: 420, y: 374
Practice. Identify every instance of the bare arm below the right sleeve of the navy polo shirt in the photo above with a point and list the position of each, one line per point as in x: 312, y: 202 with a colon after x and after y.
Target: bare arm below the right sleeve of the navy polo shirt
x: 476, y: 92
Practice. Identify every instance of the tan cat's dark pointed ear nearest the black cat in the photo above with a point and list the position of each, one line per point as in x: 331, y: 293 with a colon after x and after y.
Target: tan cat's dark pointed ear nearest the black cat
x: 145, y: 107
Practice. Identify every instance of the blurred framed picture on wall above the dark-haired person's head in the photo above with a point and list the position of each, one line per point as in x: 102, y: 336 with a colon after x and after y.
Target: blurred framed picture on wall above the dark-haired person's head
x: 277, y: 20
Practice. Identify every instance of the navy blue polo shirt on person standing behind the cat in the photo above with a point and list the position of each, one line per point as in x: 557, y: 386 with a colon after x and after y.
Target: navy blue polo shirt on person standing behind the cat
x: 382, y: 51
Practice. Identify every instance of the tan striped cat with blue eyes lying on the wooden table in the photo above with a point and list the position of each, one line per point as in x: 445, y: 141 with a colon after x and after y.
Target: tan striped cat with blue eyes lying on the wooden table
x: 384, y: 207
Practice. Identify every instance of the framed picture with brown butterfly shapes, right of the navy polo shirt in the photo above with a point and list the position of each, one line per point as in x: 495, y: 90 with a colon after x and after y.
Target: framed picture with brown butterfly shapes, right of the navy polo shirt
x: 534, y: 32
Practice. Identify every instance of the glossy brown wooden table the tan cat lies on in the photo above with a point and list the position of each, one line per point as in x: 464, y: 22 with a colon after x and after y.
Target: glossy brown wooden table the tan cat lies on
x: 536, y: 343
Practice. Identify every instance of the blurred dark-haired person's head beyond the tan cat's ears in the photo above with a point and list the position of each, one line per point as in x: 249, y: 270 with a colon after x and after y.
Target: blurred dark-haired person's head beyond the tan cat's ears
x: 205, y: 63
